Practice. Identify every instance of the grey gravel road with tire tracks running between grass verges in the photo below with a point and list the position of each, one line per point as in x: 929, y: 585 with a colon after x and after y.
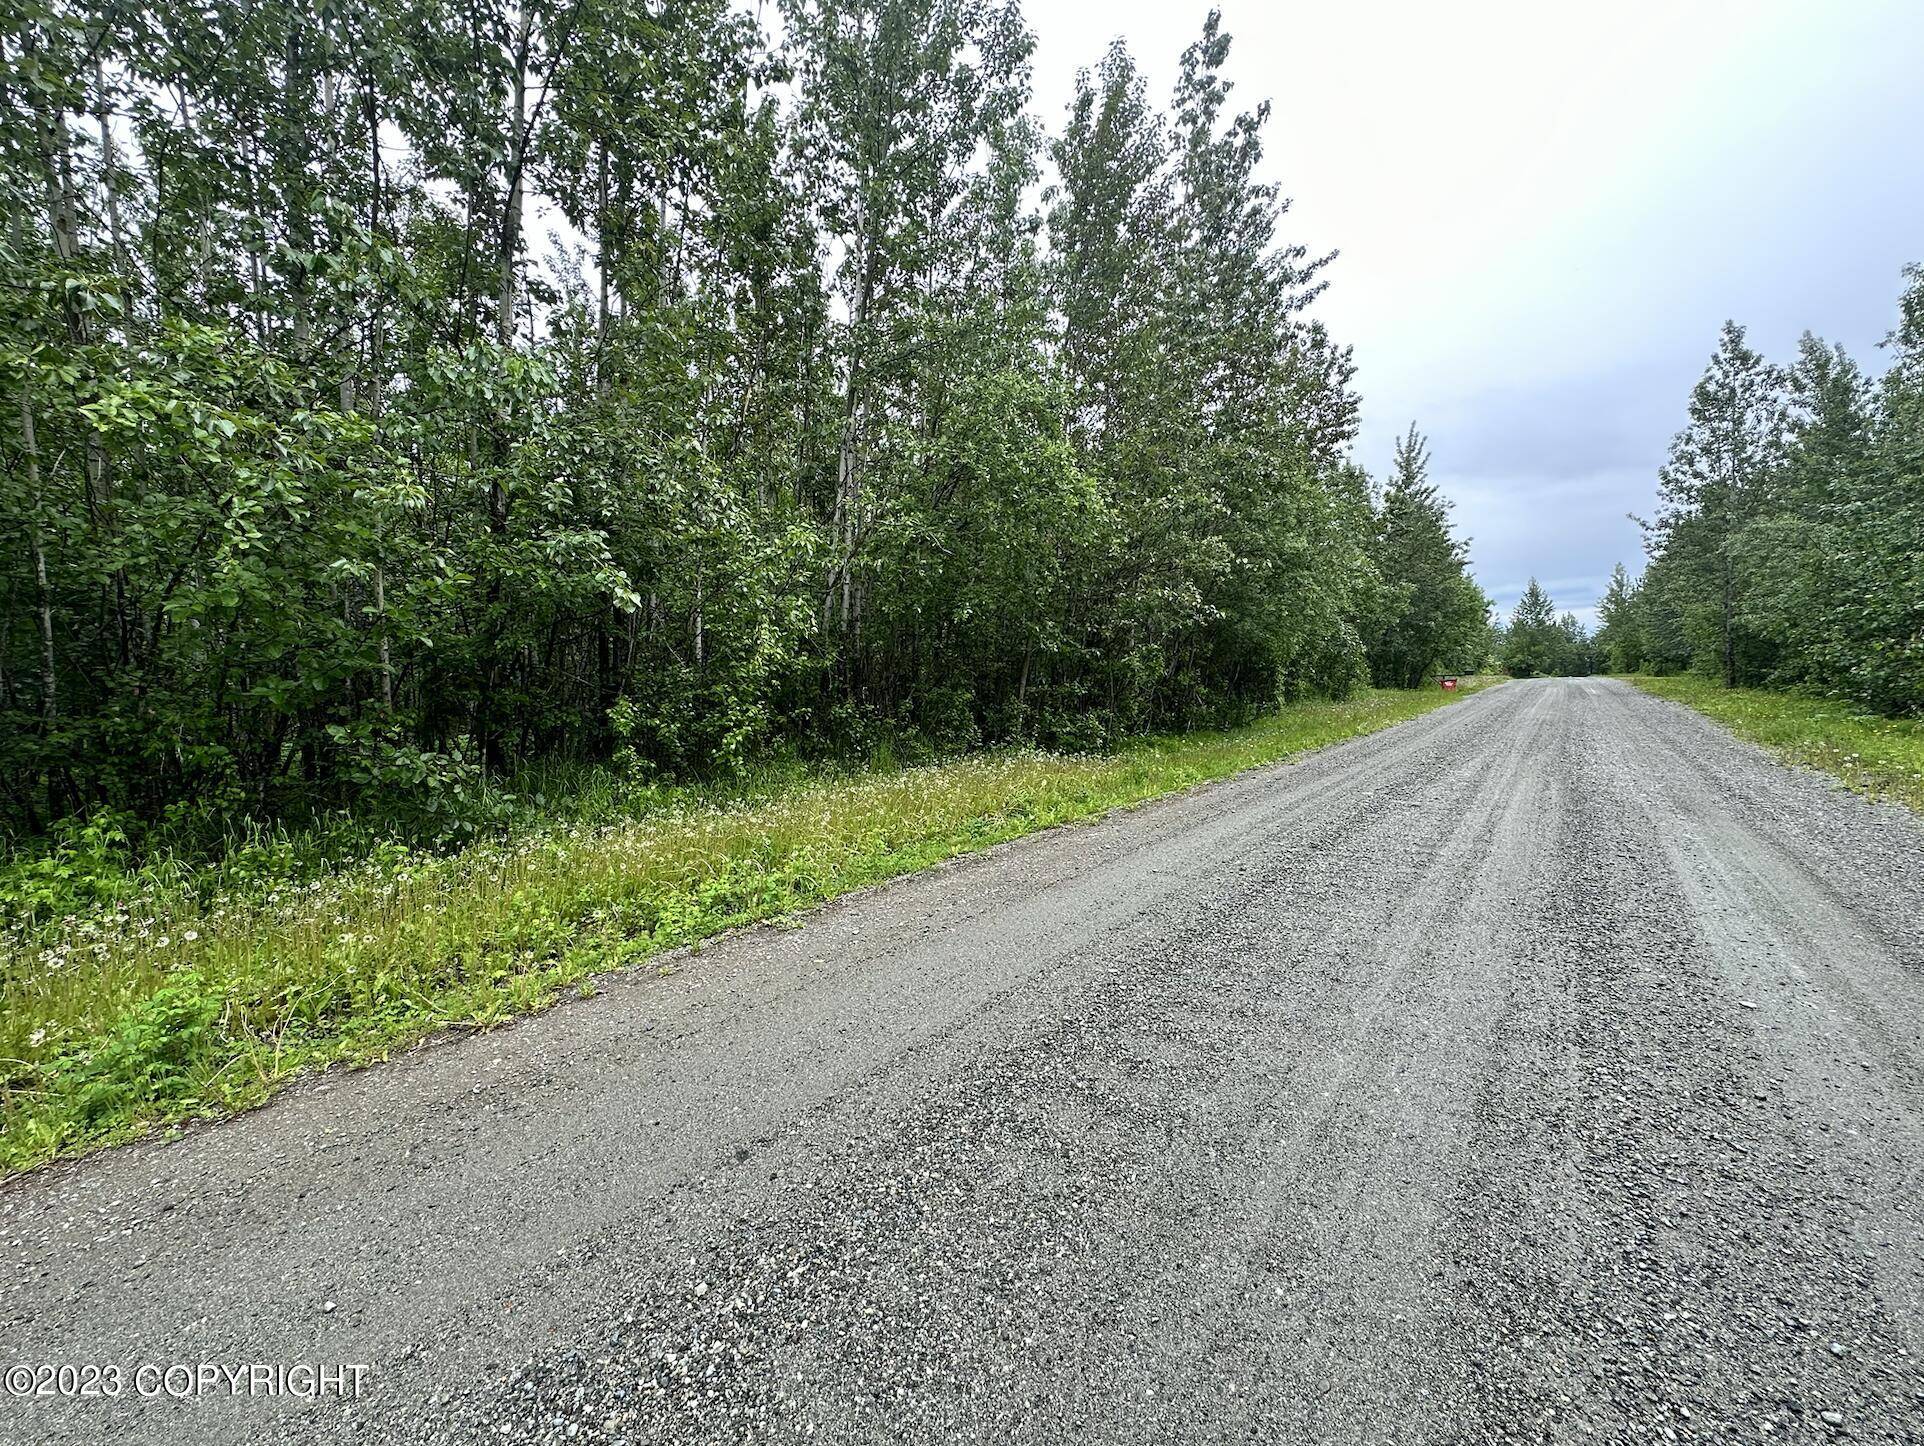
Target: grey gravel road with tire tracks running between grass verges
x: 1550, y: 1068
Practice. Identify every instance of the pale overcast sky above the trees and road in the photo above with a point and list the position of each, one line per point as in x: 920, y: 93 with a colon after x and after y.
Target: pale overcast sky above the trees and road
x: 1546, y: 212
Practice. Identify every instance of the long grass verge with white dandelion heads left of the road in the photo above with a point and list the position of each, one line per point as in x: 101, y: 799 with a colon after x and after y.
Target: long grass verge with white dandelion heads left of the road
x: 182, y: 1003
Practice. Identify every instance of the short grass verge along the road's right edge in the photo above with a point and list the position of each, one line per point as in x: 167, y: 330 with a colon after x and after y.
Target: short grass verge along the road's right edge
x: 1871, y: 755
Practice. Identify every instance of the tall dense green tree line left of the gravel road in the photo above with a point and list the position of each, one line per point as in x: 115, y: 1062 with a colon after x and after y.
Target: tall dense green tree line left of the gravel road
x: 403, y: 393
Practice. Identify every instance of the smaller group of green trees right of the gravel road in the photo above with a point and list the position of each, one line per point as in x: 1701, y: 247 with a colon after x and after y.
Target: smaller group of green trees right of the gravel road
x: 1788, y: 549
